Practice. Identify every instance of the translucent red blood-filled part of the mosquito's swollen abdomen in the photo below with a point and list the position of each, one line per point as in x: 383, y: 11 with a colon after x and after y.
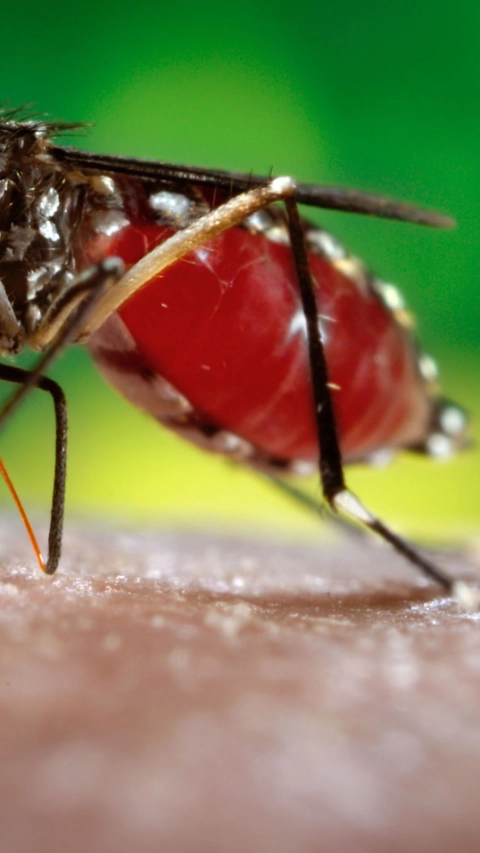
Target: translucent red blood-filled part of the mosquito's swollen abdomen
x: 225, y: 327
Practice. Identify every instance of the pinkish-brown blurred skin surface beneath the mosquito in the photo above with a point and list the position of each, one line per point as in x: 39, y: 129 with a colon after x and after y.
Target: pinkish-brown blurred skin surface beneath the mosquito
x: 193, y: 694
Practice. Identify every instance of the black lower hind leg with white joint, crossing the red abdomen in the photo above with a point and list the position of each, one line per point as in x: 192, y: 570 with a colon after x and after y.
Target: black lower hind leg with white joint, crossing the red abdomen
x: 330, y: 464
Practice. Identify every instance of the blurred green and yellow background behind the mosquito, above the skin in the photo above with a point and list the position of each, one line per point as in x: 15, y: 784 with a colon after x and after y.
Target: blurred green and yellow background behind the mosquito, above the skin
x: 382, y: 97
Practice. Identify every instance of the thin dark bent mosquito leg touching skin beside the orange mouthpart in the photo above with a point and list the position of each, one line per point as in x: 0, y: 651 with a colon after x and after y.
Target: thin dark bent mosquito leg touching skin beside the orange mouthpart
x: 8, y: 373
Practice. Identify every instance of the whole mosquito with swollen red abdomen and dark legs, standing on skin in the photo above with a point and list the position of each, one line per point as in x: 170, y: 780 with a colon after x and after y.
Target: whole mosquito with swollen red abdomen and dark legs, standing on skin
x: 209, y: 302
